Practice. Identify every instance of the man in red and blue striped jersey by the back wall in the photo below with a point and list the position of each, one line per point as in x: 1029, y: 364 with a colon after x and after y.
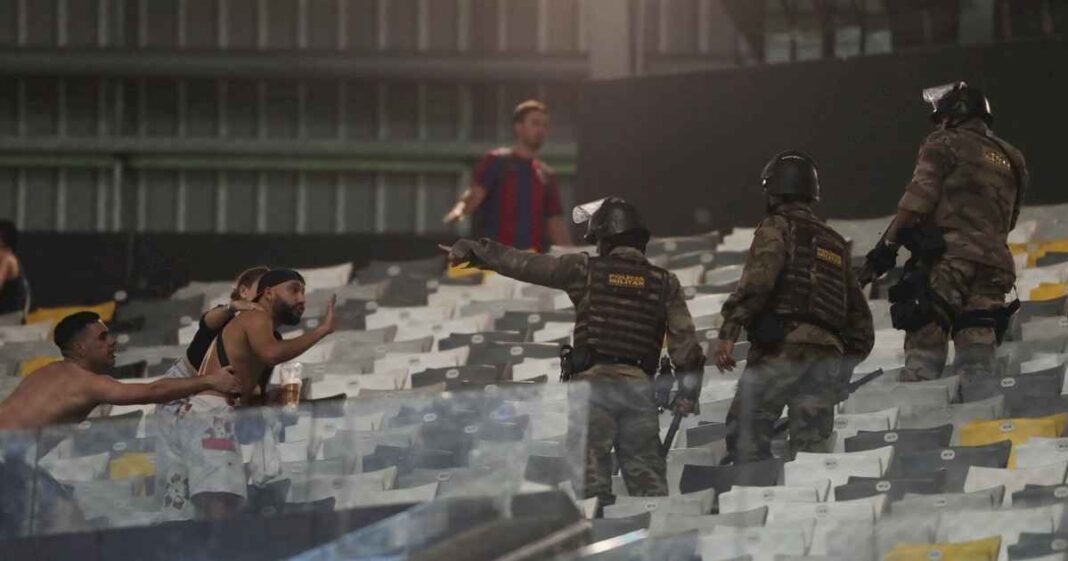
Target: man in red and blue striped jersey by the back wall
x: 514, y: 196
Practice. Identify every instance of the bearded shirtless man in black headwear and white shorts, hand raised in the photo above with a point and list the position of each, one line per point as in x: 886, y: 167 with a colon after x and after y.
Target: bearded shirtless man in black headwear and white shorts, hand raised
x: 200, y: 461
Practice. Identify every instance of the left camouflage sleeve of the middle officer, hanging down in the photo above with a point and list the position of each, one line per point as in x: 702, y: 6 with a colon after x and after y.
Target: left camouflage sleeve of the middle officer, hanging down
x: 767, y: 257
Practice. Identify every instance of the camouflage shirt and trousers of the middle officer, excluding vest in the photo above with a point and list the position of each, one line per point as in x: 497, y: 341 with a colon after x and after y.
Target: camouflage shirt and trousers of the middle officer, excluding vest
x: 803, y: 372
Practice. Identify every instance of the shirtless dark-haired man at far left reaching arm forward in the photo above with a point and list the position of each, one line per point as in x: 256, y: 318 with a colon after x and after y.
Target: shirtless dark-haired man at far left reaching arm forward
x: 69, y: 391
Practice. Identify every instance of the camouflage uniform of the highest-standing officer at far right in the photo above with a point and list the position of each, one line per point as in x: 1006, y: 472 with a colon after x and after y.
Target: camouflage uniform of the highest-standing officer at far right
x: 969, y: 183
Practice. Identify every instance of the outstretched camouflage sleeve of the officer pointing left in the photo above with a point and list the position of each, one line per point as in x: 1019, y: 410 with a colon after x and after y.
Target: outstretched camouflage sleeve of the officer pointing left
x: 538, y: 269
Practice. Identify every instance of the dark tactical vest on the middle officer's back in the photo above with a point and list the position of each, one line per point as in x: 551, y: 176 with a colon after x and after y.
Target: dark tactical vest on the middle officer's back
x: 812, y: 287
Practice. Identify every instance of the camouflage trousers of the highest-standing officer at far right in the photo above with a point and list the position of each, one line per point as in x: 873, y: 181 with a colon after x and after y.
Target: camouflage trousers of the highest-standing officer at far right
x: 965, y: 287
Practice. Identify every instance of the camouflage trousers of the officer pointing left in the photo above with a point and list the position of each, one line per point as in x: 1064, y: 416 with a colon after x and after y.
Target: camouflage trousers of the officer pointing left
x: 623, y: 416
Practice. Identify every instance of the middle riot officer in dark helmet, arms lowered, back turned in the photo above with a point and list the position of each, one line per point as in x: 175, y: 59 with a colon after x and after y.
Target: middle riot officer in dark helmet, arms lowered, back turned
x: 804, y: 311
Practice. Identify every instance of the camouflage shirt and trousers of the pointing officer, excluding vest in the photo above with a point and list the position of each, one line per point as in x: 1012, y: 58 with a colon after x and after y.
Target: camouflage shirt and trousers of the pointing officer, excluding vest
x: 622, y: 412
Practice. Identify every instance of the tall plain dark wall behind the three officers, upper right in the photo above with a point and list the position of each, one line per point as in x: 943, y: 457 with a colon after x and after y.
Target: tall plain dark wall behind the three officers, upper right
x: 689, y: 149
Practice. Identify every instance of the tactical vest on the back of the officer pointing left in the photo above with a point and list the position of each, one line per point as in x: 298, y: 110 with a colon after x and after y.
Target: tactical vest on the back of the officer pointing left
x: 624, y: 316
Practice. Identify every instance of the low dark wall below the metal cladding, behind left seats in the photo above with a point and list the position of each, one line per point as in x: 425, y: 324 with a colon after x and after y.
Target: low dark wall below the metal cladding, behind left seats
x: 89, y: 269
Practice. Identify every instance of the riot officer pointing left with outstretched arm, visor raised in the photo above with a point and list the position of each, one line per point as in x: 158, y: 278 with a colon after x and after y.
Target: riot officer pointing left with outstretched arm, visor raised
x: 625, y: 307
